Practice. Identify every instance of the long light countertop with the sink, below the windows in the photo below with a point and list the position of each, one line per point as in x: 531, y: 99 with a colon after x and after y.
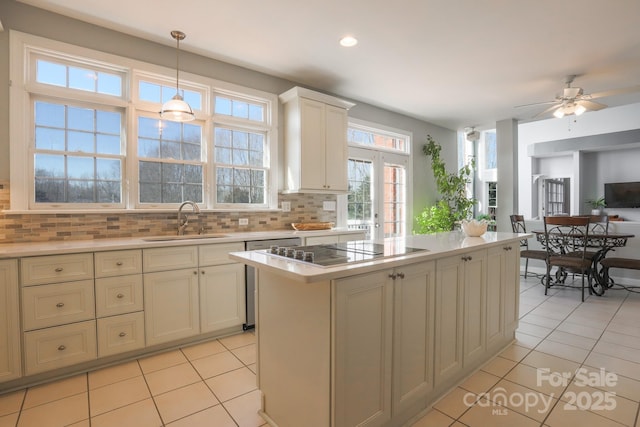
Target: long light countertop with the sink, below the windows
x: 16, y: 250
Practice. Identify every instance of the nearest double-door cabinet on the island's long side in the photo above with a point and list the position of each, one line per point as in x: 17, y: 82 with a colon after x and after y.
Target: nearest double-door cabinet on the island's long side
x: 383, y: 335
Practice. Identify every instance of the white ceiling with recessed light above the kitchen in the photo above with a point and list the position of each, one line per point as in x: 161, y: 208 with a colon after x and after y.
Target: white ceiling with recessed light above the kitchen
x: 455, y: 63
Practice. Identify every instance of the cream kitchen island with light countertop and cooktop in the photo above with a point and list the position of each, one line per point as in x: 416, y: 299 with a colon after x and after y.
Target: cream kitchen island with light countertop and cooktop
x: 378, y: 342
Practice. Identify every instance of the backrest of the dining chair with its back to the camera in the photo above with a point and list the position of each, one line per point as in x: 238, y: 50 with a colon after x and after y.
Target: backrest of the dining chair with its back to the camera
x: 566, y: 234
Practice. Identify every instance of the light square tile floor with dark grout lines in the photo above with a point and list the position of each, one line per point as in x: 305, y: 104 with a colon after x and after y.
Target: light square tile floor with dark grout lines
x: 213, y: 384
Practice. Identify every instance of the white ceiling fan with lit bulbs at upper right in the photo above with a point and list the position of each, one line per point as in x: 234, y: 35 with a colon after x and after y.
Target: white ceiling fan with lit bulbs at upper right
x: 574, y: 101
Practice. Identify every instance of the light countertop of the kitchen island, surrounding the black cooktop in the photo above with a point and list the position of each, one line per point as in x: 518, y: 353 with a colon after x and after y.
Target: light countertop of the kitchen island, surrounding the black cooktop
x: 436, y: 245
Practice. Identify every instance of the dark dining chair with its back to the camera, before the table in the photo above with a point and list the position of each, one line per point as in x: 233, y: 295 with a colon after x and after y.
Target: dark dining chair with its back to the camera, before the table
x: 566, y: 240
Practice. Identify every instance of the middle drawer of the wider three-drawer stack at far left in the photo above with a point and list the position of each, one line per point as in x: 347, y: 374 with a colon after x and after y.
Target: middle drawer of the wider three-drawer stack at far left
x: 52, y: 305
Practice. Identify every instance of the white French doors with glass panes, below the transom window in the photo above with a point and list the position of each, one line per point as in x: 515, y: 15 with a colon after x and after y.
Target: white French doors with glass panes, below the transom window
x: 377, y: 200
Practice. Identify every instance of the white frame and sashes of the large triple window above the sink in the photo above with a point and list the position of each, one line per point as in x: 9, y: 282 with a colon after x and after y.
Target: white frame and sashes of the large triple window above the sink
x: 24, y: 51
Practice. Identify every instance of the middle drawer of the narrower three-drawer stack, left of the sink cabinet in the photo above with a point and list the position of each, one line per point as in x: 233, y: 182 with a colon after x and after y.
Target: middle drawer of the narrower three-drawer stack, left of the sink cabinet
x: 118, y: 295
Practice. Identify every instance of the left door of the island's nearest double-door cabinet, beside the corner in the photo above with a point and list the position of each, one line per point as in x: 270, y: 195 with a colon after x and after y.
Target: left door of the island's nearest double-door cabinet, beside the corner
x: 363, y: 344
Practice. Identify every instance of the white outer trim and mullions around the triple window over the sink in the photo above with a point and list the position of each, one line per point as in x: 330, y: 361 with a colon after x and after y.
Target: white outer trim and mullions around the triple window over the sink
x: 20, y: 44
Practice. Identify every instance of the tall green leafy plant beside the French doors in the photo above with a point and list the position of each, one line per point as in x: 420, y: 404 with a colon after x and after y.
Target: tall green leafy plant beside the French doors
x: 453, y: 205
